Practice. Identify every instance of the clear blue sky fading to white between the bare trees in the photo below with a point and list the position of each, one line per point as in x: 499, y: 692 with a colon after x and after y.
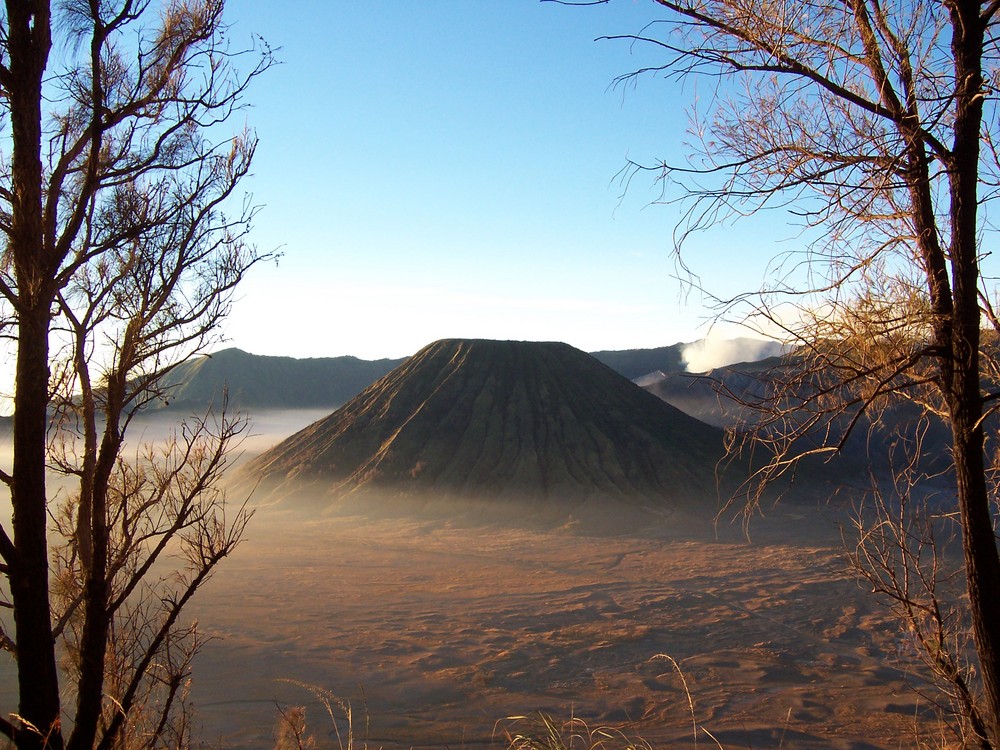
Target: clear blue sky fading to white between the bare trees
x: 447, y: 168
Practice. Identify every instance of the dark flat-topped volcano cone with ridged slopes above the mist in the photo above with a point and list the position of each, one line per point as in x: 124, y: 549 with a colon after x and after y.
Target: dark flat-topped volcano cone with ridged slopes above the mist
x: 498, y: 420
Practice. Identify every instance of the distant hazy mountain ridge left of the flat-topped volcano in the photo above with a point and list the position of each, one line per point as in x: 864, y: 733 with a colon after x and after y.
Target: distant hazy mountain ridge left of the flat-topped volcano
x: 255, y: 381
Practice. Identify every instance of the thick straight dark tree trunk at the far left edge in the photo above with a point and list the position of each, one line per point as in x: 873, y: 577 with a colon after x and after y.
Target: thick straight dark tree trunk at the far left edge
x: 29, y: 43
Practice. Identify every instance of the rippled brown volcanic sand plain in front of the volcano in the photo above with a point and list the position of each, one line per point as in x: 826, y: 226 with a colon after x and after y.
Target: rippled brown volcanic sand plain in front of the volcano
x: 436, y: 632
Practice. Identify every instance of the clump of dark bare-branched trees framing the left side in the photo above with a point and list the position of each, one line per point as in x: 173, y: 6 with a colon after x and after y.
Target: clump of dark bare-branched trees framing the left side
x: 116, y: 199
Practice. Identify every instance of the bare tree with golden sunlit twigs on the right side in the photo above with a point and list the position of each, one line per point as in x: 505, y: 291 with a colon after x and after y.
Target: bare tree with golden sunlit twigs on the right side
x: 876, y: 124
